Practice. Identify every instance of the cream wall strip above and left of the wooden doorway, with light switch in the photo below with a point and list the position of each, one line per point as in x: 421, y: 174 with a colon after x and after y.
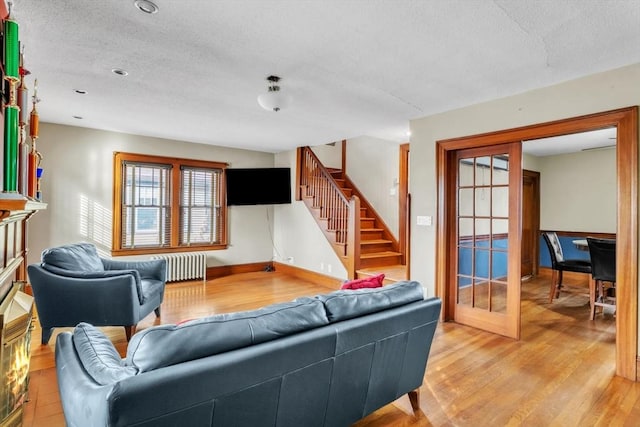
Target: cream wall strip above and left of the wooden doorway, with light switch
x: 596, y: 93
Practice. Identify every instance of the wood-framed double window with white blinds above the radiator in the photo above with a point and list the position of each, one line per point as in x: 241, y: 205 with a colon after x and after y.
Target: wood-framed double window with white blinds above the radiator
x: 164, y: 204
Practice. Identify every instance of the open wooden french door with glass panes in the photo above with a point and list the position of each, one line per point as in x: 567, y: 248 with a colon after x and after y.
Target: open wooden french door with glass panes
x: 486, y: 187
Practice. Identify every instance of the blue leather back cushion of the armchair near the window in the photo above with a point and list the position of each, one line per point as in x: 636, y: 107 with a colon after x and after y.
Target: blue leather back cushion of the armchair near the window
x: 75, y: 257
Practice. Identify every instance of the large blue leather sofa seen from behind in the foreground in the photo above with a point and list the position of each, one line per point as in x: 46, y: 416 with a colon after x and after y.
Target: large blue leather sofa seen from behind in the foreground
x: 323, y: 361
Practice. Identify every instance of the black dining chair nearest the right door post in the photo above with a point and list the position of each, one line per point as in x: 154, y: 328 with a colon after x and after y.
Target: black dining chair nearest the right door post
x: 603, y: 273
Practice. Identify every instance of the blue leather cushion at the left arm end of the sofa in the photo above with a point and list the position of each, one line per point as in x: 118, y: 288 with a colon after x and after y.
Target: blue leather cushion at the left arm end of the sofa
x: 98, y: 355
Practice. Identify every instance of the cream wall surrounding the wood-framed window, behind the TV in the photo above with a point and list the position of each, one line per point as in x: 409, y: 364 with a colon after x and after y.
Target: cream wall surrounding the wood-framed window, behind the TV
x: 77, y: 184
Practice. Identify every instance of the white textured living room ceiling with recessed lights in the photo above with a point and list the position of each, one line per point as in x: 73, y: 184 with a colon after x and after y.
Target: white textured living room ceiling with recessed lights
x: 352, y: 67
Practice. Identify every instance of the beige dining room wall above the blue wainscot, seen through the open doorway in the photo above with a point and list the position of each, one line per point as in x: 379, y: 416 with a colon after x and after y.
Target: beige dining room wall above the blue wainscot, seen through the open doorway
x: 578, y: 191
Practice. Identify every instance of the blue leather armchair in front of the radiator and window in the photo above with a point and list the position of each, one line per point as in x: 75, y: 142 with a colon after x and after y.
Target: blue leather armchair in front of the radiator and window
x: 74, y: 284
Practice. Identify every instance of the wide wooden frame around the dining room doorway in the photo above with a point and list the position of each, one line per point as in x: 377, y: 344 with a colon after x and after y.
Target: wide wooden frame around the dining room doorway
x: 626, y: 122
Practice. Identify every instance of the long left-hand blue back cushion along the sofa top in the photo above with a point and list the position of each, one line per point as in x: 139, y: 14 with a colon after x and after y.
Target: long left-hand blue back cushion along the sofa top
x: 166, y: 345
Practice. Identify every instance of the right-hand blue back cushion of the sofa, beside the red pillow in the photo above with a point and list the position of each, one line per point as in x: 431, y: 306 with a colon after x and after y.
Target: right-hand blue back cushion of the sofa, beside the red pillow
x: 347, y: 304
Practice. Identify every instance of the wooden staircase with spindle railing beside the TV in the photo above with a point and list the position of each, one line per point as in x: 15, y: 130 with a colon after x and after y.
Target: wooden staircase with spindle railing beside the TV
x: 364, y: 247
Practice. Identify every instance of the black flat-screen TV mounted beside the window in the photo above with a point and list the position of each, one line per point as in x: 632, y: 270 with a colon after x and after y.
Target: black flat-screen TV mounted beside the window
x: 258, y: 186
